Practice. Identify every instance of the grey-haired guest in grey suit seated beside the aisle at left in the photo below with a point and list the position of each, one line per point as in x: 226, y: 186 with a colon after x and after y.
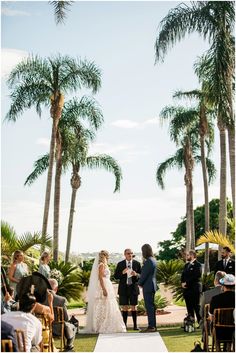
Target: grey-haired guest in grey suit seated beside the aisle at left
x: 70, y: 329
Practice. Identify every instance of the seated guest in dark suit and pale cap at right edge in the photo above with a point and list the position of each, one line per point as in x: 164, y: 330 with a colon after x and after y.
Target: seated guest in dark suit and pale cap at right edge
x: 224, y: 300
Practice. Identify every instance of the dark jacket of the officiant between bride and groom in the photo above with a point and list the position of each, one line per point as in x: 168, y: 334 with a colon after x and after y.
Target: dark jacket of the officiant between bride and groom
x: 122, y: 288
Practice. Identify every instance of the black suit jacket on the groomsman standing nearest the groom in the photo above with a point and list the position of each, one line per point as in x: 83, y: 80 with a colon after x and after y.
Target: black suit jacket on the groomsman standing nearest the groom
x: 191, y: 274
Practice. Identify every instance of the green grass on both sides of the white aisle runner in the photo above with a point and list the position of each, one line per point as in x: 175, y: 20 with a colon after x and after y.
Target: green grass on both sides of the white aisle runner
x: 176, y: 340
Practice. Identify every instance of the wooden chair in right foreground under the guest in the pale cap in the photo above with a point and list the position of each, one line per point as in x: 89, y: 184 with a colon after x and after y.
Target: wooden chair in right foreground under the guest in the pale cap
x: 223, y: 319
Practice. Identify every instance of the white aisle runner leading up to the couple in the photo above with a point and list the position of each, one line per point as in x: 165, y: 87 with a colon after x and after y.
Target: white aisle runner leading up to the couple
x: 130, y: 342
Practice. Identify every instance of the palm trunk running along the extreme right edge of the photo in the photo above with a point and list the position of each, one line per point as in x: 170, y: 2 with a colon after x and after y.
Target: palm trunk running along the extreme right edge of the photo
x: 231, y: 143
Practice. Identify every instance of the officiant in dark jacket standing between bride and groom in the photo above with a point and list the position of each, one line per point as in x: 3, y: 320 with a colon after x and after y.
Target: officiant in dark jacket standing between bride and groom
x: 127, y: 272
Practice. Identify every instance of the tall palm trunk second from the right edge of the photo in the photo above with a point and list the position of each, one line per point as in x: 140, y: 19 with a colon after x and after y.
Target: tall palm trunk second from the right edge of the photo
x: 223, y: 200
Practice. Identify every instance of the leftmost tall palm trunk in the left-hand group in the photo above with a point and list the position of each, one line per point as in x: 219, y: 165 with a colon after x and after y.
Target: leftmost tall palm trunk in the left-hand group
x: 49, y: 182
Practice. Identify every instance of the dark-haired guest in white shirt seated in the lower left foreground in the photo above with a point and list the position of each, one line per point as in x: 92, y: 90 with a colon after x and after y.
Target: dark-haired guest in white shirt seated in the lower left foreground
x: 24, y: 320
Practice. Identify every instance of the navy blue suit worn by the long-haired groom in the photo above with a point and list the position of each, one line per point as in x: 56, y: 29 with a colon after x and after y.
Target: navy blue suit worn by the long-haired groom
x: 147, y: 280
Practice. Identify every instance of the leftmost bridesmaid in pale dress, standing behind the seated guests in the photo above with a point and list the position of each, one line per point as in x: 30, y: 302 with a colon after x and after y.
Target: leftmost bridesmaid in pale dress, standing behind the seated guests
x: 17, y: 270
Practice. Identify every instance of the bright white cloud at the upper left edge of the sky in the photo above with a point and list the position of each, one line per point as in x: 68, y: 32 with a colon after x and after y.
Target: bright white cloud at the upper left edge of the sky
x: 10, y: 58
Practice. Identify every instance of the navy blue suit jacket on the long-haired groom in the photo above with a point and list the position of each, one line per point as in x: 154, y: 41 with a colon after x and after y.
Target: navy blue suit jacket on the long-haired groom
x: 147, y: 278
